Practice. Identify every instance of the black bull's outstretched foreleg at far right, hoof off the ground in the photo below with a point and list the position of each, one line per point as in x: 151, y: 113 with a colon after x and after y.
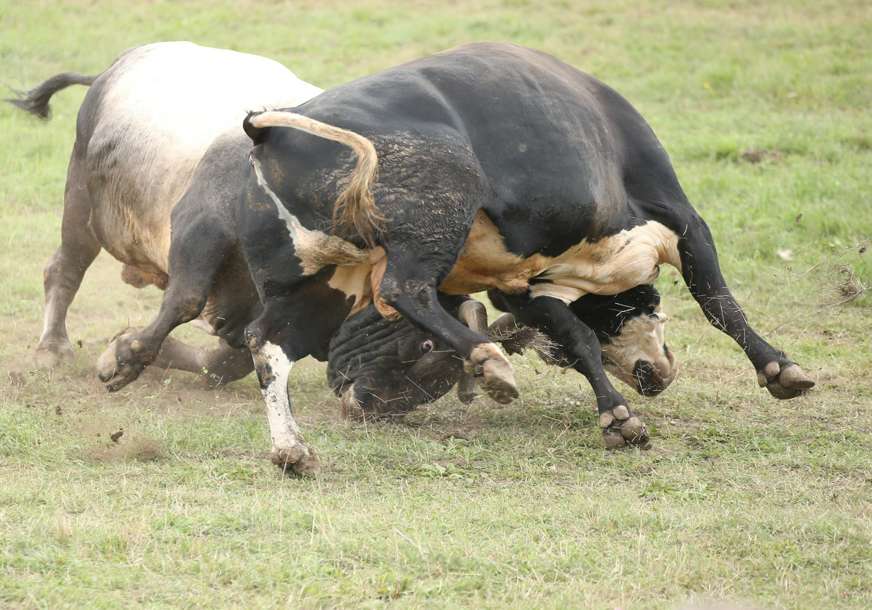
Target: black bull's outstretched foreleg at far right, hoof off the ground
x: 702, y: 274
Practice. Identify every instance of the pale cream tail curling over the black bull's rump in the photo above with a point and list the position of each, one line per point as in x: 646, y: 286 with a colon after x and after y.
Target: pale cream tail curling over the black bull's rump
x: 355, y: 207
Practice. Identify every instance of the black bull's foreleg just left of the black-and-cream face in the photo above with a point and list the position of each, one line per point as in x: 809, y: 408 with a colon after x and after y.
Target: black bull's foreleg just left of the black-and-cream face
x: 578, y: 345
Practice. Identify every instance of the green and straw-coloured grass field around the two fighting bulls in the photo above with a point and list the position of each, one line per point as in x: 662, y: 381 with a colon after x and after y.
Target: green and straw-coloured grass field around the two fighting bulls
x: 764, y: 107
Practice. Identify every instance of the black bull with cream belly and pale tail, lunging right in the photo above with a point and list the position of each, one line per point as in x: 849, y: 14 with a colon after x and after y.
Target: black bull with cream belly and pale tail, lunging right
x: 499, y: 168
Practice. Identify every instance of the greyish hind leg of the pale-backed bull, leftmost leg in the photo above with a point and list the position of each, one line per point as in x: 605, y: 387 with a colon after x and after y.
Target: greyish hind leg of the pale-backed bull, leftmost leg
x: 66, y: 268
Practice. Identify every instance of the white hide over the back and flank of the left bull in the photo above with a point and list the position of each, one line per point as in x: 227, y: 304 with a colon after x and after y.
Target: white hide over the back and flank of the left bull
x: 163, y: 105
